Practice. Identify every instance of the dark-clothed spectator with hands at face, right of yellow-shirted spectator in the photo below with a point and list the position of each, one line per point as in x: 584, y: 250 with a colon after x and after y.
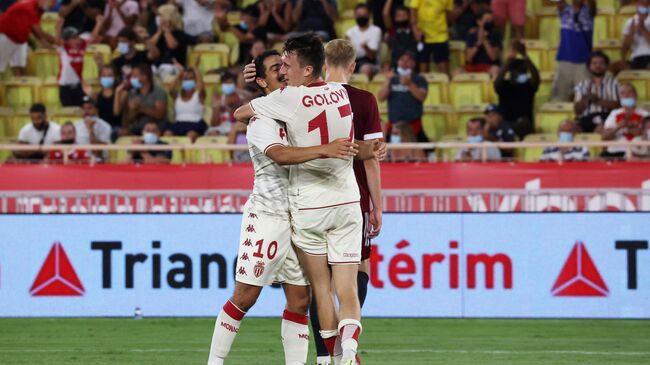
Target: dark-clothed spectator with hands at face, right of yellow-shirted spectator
x: 484, y: 45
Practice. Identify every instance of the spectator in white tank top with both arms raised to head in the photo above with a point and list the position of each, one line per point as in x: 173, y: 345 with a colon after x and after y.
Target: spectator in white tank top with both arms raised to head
x: 189, y: 104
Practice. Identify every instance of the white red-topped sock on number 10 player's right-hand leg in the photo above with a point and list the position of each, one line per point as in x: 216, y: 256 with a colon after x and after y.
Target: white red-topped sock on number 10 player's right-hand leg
x: 295, y: 338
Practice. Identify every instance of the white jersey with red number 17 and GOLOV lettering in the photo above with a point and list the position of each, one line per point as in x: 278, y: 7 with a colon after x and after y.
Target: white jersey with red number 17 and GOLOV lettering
x: 315, y: 115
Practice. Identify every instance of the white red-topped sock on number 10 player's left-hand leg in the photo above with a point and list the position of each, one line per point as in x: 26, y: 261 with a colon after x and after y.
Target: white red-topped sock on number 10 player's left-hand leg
x: 225, y: 330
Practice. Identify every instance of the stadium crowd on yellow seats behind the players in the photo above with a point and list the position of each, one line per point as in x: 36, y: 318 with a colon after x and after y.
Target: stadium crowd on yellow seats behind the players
x: 155, y: 72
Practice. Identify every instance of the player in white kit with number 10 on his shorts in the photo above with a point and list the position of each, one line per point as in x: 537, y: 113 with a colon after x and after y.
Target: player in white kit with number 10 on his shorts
x: 265, y: 253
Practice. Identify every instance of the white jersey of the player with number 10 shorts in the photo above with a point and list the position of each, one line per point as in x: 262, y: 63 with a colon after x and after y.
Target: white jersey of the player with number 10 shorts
x: 270, y: 188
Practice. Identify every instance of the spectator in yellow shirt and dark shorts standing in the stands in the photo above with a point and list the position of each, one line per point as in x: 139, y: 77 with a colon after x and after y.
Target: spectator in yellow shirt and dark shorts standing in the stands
x: 429, y: 20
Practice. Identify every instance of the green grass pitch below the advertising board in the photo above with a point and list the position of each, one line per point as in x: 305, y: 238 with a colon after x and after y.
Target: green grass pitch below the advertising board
x: 384, y: 341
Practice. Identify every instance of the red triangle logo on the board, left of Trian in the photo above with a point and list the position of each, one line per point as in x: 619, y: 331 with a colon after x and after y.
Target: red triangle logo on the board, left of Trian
x: 57, y: 276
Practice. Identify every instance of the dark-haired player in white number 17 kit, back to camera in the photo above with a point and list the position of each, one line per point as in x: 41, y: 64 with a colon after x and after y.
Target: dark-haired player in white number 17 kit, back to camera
x: 323, y: 193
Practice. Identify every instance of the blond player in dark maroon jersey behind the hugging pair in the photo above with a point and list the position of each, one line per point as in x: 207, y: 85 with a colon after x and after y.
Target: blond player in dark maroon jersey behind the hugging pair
x: 339, y: 58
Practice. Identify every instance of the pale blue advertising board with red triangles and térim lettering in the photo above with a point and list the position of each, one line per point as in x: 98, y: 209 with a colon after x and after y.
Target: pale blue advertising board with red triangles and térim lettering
x: 570, y: 265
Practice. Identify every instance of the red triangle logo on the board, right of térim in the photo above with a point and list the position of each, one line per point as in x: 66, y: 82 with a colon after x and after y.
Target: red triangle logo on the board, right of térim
x: 579, y: 276
